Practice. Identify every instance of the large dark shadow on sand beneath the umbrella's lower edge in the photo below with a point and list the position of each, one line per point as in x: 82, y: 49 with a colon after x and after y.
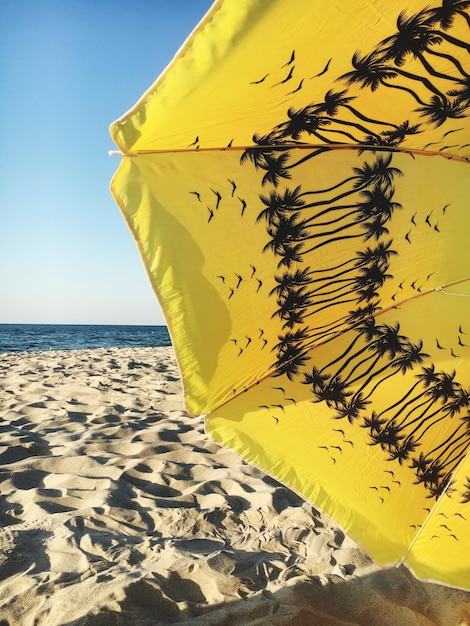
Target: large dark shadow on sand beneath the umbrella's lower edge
x: 391, y: 597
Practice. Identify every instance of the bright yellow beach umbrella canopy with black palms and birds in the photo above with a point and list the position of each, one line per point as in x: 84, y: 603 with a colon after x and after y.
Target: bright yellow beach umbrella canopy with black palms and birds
x: 297, y: 181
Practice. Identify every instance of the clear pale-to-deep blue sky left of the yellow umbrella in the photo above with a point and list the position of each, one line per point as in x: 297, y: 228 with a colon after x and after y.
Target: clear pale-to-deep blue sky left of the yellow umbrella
x: 68, y: 68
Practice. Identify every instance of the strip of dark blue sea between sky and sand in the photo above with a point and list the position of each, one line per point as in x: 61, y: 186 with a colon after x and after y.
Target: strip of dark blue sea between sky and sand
x: 40, y: 337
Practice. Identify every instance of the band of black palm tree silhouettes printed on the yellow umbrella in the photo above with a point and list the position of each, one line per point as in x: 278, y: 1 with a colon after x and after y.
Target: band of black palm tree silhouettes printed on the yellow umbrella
x: 301, y: 221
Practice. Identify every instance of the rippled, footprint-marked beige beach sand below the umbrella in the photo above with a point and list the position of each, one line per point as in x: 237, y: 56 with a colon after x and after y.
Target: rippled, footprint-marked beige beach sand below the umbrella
x: 116, y: 508
